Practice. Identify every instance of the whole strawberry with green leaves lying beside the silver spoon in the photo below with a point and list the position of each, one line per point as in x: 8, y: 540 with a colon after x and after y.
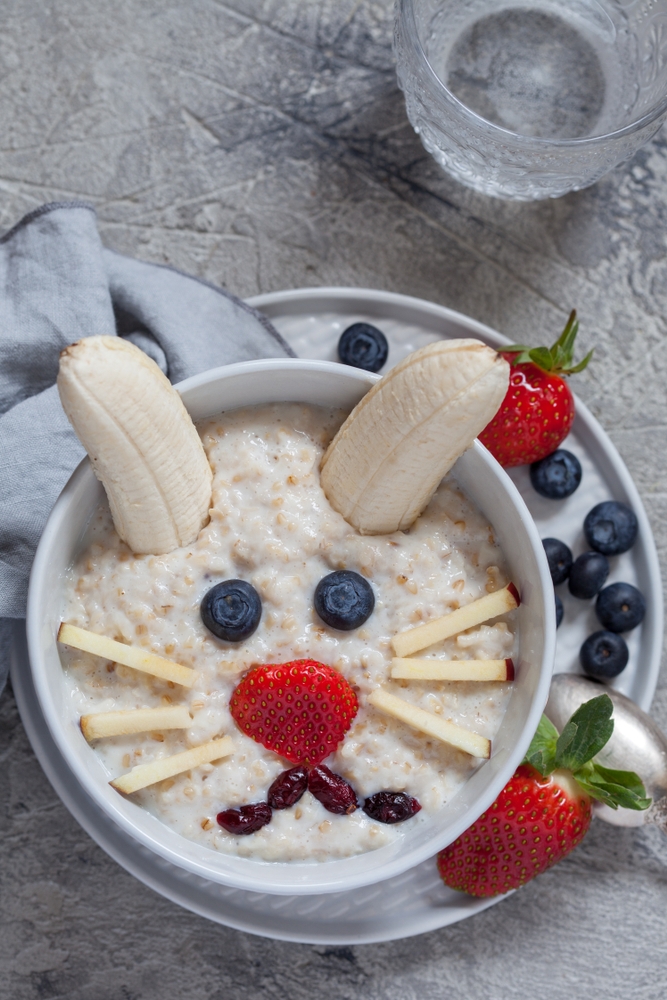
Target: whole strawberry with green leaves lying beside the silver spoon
x: 544, y: 811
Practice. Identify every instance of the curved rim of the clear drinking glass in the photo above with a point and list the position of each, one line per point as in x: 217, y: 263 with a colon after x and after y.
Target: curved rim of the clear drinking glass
x: 407, y: 6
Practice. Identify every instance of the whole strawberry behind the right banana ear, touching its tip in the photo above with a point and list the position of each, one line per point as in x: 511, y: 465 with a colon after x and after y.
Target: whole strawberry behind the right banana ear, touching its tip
x: 538, y: 409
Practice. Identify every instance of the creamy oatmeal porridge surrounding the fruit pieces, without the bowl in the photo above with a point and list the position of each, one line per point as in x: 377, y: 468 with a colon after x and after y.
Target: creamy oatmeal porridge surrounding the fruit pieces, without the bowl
x: 272, y: 526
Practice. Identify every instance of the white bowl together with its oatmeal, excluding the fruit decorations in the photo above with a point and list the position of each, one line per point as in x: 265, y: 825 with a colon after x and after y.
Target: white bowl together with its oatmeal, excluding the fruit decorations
x: 265, y: 426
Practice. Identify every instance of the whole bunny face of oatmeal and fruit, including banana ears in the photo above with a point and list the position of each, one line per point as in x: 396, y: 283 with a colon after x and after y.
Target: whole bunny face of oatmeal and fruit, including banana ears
x: 287, y: 636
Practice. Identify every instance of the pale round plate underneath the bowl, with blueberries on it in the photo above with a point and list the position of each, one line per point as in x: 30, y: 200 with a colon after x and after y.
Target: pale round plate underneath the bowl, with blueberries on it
x: 311, y: 320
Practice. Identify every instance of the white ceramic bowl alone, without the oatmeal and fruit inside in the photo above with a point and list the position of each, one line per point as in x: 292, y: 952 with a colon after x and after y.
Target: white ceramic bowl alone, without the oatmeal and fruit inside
x: 326, y: 384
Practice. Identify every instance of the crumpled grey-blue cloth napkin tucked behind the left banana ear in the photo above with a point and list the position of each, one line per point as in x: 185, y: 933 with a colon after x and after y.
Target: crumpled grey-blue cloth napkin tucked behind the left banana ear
x: 58, y: 284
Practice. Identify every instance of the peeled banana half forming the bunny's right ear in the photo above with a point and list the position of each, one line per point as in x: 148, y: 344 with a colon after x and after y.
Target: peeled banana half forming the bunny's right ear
x: 386, y: 461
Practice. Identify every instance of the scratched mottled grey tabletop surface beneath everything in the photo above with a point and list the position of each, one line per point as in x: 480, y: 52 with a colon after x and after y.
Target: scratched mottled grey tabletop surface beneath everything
x: 262, y: 144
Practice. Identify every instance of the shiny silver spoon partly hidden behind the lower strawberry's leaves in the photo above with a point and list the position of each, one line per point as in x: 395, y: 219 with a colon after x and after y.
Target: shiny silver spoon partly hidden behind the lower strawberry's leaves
x: 635, y: 745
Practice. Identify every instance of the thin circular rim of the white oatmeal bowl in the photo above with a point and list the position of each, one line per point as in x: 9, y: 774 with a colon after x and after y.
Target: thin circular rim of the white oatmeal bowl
x: 325, y: 876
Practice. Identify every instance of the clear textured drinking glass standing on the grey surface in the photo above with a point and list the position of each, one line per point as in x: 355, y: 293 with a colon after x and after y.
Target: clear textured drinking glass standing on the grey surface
x: 532, y: 99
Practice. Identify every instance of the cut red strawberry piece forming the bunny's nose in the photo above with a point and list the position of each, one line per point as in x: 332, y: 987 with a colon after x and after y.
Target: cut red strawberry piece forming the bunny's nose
x: 300, y: 710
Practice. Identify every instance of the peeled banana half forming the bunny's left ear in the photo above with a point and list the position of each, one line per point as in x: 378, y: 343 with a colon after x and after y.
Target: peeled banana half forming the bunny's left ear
x: 141, y: 440
